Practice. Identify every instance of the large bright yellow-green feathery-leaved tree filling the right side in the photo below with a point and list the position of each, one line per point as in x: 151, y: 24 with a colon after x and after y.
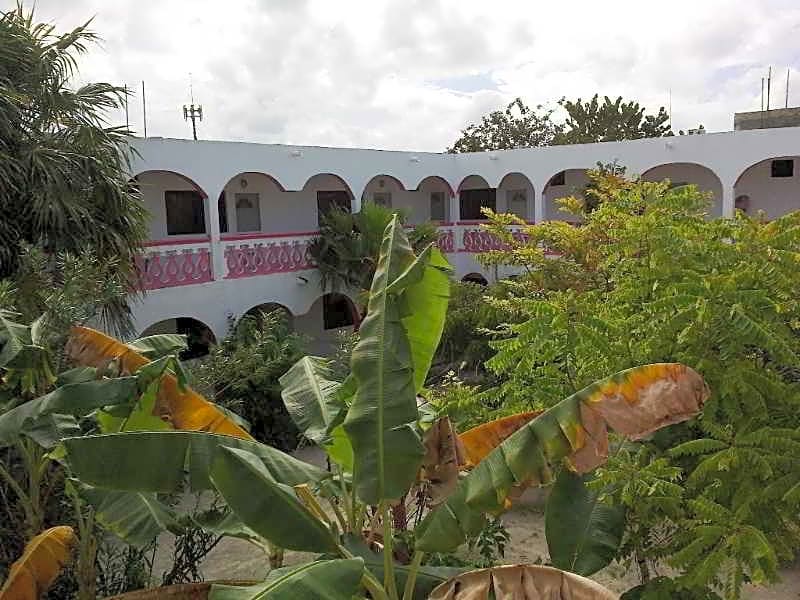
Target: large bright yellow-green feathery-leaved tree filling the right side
x: 650, y: 278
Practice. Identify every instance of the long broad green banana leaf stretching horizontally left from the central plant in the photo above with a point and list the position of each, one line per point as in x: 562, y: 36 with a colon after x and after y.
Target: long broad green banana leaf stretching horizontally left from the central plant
x: 160, y: 461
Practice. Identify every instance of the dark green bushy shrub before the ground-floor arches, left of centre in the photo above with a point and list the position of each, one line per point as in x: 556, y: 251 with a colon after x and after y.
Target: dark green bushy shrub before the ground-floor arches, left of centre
x: 242, y: 373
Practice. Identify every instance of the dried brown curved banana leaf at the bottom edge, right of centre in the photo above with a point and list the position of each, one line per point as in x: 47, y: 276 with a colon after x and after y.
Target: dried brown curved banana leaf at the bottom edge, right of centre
x: 521, y: 582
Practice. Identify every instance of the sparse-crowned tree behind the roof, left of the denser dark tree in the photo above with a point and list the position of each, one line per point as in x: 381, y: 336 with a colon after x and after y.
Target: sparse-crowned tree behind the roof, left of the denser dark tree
x: 518, y: 126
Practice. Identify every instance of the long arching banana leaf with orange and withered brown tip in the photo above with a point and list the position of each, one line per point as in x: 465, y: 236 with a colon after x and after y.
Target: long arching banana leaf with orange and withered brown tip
x: 634, y: 403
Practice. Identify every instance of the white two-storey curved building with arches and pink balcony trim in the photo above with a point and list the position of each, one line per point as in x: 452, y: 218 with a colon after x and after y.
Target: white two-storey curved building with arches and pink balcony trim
x: 231, y: 221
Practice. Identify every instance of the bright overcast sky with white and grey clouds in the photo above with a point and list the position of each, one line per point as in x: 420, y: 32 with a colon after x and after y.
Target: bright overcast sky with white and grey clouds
x: 408, y: 74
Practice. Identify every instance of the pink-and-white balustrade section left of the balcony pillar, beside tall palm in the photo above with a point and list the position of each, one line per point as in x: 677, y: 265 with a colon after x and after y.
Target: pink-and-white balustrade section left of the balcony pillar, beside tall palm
x: 171, y: 264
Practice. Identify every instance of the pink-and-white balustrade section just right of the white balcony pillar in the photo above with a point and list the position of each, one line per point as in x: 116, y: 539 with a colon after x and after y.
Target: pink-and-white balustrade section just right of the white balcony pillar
x: 265, y: 254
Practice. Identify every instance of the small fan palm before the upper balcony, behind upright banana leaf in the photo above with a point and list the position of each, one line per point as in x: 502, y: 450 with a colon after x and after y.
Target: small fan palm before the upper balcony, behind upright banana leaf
x: 348, y: 248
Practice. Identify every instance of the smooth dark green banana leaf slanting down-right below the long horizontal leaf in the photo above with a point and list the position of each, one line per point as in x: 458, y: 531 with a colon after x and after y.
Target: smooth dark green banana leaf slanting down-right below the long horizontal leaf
x: 267, y: 507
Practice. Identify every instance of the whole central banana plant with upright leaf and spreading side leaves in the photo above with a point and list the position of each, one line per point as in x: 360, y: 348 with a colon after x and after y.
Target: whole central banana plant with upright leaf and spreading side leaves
x: 370, y: 426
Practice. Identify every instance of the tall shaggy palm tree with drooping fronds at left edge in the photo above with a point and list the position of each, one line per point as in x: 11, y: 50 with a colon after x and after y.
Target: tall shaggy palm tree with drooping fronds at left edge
x: 64, y: 182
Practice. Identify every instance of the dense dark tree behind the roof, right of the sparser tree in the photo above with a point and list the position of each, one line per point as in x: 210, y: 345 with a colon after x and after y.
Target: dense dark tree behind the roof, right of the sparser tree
x: 593, y: 121
